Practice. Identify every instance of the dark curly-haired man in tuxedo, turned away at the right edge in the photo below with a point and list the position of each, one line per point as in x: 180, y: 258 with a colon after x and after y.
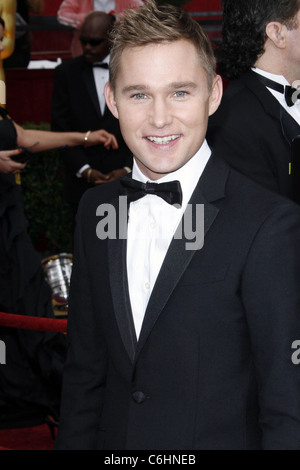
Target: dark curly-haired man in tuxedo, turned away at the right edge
x: 257, y: 120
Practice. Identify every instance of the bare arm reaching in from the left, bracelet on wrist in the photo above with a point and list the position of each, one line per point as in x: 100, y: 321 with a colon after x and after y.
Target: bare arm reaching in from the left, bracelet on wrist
x: 37, y: 140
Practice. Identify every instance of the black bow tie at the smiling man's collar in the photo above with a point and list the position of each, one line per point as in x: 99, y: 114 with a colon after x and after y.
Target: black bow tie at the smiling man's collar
x: 170, y: 192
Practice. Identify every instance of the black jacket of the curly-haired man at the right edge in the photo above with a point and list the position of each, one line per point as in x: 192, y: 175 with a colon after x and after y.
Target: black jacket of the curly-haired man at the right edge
x: 254, y: 133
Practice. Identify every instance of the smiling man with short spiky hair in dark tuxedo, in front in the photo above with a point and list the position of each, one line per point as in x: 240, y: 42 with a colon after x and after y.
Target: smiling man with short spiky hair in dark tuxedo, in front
x: 176, y: 345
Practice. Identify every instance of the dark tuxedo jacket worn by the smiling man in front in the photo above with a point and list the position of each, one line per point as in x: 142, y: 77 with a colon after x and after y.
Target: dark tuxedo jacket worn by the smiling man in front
x: 212, y: 368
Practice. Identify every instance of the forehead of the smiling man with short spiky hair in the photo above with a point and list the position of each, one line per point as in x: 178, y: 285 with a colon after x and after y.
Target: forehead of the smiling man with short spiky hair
x: 162, y: 62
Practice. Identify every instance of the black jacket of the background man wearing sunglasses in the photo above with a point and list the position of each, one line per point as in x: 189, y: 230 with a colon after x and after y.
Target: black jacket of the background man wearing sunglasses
x: 75, y: 107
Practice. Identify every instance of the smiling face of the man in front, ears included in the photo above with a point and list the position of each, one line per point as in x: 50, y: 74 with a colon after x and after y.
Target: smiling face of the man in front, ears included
x: 162, y: 101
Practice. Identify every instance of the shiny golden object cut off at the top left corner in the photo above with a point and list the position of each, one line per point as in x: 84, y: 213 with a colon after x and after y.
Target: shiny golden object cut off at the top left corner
x: 8, y: 14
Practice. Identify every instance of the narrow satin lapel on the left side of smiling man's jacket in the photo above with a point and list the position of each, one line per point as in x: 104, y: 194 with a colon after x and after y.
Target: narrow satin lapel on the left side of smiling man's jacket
x: 119, y: 282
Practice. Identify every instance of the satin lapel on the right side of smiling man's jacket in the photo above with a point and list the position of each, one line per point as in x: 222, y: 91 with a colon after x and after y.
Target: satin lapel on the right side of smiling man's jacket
x: 178, y: 257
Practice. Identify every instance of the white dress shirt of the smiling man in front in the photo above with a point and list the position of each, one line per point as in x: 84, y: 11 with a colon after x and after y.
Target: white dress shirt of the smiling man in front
x: 151, y: 226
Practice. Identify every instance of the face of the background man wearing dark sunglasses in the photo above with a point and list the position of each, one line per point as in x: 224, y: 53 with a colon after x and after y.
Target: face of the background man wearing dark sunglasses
x: 95, y: 44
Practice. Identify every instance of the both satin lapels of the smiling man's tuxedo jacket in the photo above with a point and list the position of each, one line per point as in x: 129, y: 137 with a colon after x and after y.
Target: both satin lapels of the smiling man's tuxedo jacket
x: 211, y: 187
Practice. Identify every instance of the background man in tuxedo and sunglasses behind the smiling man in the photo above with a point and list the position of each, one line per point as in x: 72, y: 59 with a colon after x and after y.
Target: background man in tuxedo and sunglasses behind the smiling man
x: 78, y: 104
